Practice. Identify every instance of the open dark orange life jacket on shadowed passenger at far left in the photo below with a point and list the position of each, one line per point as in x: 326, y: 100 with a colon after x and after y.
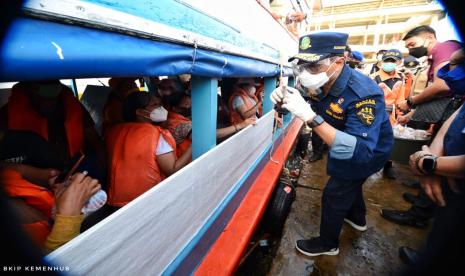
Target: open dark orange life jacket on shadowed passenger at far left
x: 23, y: 116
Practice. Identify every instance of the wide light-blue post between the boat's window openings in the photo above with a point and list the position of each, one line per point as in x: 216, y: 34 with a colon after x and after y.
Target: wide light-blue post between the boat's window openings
x: 204, y: 108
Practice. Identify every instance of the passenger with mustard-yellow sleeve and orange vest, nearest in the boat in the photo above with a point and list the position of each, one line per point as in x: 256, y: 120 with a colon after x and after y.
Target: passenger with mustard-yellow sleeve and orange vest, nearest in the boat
x: 27, y: 174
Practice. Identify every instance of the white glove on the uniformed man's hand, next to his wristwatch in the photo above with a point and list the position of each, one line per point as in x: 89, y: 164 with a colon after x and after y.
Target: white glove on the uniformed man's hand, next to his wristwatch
x: 294, y: 102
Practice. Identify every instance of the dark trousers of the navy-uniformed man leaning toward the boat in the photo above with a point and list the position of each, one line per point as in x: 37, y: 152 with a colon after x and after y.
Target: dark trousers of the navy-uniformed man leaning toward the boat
x: 341, y: 199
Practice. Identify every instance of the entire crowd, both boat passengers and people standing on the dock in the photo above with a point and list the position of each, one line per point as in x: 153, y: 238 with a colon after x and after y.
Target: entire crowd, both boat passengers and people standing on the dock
x: 63, y: 175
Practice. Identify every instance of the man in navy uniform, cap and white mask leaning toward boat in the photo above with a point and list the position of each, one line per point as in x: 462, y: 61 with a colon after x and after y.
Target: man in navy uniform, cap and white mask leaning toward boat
x: 349, y: 115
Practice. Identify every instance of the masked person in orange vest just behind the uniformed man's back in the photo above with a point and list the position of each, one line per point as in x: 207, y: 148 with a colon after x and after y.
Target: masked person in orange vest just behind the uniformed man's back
x: 392, y: 83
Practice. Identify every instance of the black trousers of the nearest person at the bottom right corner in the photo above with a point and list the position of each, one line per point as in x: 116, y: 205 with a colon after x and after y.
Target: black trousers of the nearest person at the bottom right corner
x: 445, y: 248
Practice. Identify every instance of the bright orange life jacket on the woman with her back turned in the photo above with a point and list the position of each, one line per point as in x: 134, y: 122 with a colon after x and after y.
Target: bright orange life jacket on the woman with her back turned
x: 133, y: 167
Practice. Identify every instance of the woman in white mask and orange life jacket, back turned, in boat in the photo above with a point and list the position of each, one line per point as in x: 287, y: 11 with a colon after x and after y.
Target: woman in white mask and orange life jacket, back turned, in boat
x: 141, y: 153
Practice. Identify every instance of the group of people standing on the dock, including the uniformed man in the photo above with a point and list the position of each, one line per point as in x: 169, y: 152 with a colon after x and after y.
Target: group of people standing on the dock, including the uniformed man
x: 348, y: 110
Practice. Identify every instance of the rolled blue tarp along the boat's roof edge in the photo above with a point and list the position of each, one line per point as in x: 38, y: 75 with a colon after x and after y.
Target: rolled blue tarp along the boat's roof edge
x: 36, y: 49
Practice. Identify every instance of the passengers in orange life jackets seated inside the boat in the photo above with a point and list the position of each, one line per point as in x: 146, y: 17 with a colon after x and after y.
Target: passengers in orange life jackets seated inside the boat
x: 62, y: 176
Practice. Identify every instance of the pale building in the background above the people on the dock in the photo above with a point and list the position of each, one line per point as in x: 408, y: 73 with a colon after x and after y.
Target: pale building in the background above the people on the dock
x: 381, y: 24
